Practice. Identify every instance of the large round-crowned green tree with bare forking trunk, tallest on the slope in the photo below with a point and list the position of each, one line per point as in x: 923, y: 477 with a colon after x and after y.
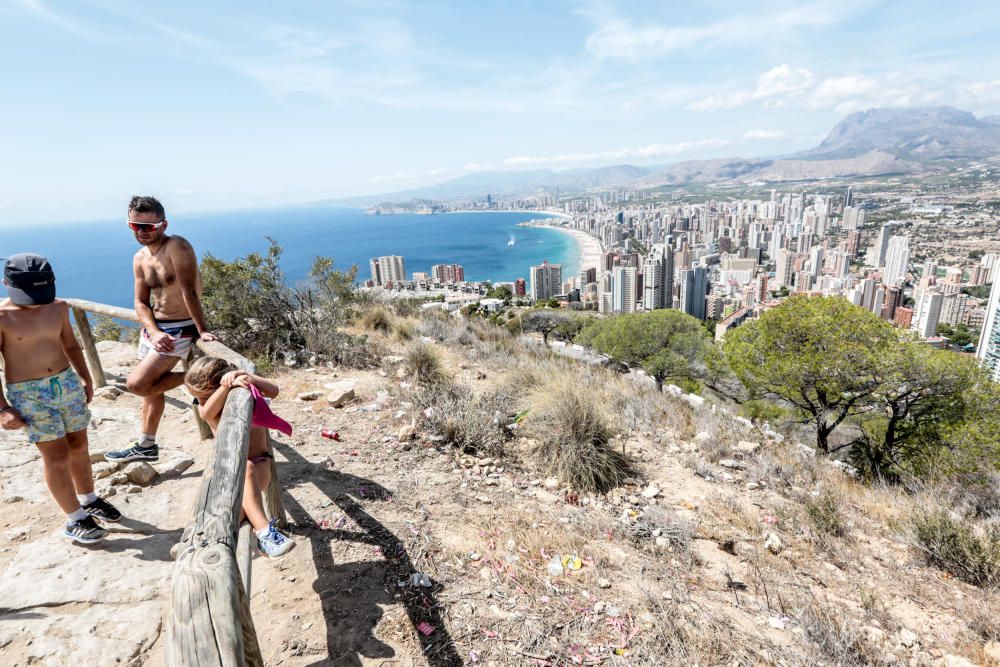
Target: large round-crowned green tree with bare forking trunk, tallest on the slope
x: 818, y: 354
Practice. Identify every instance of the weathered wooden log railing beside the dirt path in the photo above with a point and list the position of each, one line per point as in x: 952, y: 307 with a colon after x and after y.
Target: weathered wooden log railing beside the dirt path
x: 210, y: 621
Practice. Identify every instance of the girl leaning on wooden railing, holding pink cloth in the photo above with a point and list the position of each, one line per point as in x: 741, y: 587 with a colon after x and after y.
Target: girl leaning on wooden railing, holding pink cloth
x: 210, y: 380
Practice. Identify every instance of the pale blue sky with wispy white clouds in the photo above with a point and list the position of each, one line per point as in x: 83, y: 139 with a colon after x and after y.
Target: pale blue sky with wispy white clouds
x: 233, y: 105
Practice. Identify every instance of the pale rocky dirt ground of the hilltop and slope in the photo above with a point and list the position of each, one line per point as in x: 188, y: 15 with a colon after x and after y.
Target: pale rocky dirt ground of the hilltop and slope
x: 411, y: 553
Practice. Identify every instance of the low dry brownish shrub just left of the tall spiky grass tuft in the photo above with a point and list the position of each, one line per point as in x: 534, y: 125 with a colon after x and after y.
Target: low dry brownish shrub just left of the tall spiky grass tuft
x: 473, y: 424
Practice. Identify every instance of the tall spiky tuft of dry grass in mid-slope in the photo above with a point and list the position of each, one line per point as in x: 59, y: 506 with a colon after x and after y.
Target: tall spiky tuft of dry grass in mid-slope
x: 574, y: 436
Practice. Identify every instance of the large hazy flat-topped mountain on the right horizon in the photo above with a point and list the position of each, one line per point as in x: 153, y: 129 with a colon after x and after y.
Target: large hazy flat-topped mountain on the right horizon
x: 930, y: 133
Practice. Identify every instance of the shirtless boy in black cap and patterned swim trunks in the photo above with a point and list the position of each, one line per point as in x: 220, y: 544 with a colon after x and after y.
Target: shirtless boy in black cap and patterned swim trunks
x: 45, y: 397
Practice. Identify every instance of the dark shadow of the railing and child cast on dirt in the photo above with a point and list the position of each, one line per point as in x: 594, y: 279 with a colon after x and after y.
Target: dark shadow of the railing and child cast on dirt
x: 350, y: 593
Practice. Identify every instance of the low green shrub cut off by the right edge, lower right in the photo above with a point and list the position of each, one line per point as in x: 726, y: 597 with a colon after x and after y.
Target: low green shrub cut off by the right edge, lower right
x: 958, y: 546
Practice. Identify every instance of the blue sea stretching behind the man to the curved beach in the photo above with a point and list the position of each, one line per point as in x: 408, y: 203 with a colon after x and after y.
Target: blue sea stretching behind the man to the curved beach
x: 93, y: 260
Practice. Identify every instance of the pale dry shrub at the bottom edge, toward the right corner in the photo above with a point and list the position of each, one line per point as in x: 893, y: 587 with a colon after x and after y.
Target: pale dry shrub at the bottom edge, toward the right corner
x: 838, y: 637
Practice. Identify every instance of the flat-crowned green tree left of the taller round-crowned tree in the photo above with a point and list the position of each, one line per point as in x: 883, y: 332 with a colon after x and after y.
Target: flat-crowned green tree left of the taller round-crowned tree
x: 667, y: 344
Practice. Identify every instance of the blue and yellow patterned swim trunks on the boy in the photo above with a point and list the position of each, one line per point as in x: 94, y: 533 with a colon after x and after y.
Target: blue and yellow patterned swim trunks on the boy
x: 52, y: 406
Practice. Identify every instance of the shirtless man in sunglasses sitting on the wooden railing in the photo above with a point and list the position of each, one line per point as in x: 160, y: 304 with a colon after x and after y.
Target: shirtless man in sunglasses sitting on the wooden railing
x: 168, y: 303
